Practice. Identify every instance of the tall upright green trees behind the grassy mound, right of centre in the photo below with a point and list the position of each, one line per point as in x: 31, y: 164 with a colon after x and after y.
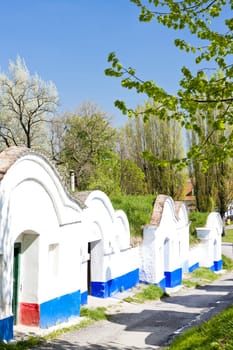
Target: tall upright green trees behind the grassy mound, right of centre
x: 152, y: 145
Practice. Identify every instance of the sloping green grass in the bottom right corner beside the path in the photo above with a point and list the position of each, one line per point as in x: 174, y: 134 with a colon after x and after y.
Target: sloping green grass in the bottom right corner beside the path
x: 217, y: 333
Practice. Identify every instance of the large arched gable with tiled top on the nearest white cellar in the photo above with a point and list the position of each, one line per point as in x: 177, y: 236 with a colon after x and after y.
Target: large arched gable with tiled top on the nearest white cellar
x: 30, y: 184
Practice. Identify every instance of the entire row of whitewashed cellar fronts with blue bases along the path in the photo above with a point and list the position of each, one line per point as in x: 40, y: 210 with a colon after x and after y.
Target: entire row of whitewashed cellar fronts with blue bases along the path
x: 72, y: 247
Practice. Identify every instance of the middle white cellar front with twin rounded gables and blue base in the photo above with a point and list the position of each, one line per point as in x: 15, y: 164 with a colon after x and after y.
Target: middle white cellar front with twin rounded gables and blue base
x: 114, y: 265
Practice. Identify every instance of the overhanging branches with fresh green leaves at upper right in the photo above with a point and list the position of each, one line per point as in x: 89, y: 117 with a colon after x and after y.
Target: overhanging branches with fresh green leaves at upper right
x: 198, y: 17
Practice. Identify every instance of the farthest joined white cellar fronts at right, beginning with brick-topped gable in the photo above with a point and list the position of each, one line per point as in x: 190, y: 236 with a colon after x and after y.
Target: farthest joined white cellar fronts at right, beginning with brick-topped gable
x: 165, y: 250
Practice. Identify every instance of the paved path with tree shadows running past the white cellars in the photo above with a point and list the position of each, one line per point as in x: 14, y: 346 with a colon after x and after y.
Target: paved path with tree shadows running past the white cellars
x: 151, y: 325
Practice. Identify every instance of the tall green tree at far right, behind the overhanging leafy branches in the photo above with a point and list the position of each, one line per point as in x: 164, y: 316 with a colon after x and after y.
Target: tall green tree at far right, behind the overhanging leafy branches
x: 213, y: 187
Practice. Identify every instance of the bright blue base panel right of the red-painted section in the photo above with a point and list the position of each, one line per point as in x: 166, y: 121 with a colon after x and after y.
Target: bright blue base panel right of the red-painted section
x: 59, y: 309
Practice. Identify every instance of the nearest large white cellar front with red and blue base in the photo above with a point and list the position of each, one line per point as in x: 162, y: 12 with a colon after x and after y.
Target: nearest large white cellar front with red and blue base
x: 37, y: 213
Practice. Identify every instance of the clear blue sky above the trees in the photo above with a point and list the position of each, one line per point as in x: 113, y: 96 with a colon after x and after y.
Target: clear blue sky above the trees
x: 68, y: 41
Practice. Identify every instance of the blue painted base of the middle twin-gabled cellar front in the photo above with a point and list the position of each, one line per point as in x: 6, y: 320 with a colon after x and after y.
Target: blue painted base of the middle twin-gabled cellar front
x: 116, y: 285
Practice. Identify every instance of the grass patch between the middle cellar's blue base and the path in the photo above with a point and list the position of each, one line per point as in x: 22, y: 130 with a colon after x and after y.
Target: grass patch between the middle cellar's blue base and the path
x: 151, y: 292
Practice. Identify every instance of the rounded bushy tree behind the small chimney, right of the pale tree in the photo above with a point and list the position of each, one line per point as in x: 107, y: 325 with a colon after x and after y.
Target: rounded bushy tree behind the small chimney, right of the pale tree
x: 86, y: 139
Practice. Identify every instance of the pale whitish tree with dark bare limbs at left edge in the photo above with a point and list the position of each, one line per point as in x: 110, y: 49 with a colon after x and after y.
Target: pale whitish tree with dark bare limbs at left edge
x: 26, y: 104
